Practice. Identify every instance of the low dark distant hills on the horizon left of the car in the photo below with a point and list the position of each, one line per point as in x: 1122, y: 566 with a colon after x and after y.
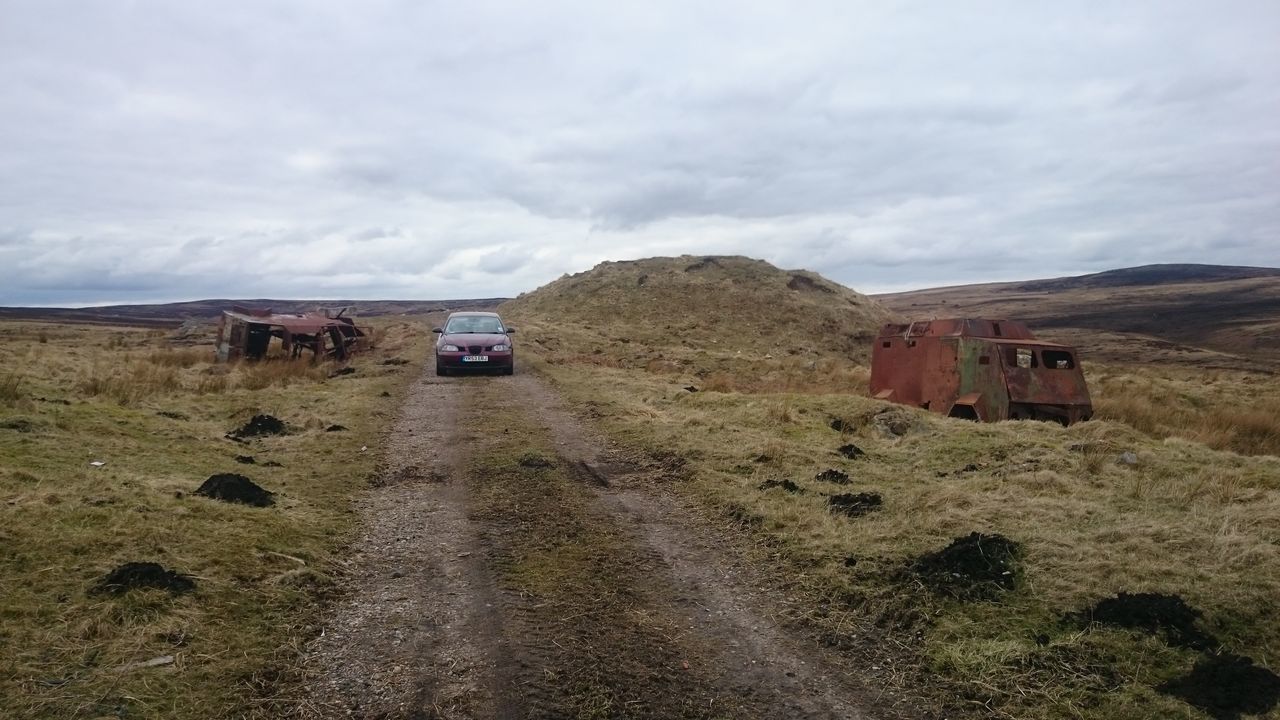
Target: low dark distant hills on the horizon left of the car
x: 172, y: 315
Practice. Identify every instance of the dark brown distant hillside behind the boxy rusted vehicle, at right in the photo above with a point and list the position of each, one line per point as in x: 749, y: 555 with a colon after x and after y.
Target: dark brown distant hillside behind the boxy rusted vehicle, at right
x: 1205, y: 316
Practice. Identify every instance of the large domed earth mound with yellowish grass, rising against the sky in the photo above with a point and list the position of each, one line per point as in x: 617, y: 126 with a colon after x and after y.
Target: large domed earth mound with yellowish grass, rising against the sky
x: 717, y: 304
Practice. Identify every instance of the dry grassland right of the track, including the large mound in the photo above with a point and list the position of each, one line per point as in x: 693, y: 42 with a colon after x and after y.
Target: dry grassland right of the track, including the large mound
x: 1173, y: 496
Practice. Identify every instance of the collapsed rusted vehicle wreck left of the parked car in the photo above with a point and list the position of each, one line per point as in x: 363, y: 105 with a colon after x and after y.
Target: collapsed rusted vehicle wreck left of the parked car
x: 328, y: 334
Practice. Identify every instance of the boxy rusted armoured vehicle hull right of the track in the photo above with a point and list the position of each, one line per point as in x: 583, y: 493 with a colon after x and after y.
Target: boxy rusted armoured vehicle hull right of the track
x: 981, y: 371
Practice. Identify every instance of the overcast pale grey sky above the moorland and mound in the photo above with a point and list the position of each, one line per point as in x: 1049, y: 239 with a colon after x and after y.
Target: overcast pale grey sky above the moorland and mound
x: 167, y: 151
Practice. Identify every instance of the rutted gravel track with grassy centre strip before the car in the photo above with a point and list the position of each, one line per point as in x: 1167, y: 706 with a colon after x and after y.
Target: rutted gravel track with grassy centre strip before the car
x: 510, y: 567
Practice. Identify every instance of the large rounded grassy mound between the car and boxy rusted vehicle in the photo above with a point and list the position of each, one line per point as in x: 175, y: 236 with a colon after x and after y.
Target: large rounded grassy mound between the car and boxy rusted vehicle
x: 728, y: 323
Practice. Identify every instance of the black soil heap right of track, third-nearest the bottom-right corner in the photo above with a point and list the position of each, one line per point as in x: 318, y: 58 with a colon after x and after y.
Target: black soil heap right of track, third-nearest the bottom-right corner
x: 975, y: 567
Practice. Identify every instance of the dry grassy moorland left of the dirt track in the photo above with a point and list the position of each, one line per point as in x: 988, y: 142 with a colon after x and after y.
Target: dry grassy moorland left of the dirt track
x: 156, y: 416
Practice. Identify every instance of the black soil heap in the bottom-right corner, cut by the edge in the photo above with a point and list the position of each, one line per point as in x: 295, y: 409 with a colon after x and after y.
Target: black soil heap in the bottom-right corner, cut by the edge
x: 1227, y: 687
